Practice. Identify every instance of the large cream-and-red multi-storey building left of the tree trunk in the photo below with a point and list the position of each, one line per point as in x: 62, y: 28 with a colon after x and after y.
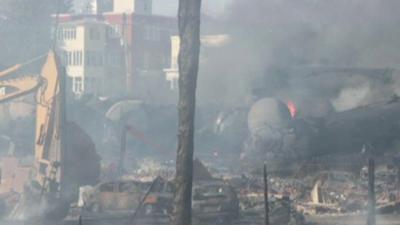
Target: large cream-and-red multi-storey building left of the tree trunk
x: 127, y: 47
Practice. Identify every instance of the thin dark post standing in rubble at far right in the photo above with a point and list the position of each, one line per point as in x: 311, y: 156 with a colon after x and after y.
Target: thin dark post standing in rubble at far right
x: 371, y: 193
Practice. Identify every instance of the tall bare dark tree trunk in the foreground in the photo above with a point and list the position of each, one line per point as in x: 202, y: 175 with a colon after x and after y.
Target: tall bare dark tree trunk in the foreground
x: 189, y: 32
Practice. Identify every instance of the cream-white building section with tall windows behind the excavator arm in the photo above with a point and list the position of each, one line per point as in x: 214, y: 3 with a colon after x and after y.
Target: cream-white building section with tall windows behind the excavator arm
x: 82, y: 47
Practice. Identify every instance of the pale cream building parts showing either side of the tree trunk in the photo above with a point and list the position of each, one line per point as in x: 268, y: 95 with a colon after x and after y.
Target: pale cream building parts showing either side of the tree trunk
x: 207, y: 41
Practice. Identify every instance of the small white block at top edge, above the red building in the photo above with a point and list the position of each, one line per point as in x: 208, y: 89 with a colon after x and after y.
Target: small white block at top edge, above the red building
x: 133, y: 6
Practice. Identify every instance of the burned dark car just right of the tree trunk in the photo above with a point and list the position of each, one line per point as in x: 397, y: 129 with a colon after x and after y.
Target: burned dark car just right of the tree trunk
x: 214, y: 200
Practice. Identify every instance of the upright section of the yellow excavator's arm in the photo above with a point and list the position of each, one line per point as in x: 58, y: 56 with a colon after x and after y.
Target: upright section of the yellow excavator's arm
x: 49, y: 122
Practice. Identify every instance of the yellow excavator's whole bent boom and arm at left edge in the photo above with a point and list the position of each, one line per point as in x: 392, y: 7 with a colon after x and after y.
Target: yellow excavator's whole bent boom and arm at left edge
x: 49, y: 117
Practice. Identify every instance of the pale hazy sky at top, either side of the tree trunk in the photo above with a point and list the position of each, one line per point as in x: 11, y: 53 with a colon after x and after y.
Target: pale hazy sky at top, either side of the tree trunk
x: 170, y: 7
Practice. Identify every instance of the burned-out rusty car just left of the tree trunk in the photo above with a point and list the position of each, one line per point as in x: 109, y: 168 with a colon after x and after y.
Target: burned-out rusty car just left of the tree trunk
x: 129, y: 195
